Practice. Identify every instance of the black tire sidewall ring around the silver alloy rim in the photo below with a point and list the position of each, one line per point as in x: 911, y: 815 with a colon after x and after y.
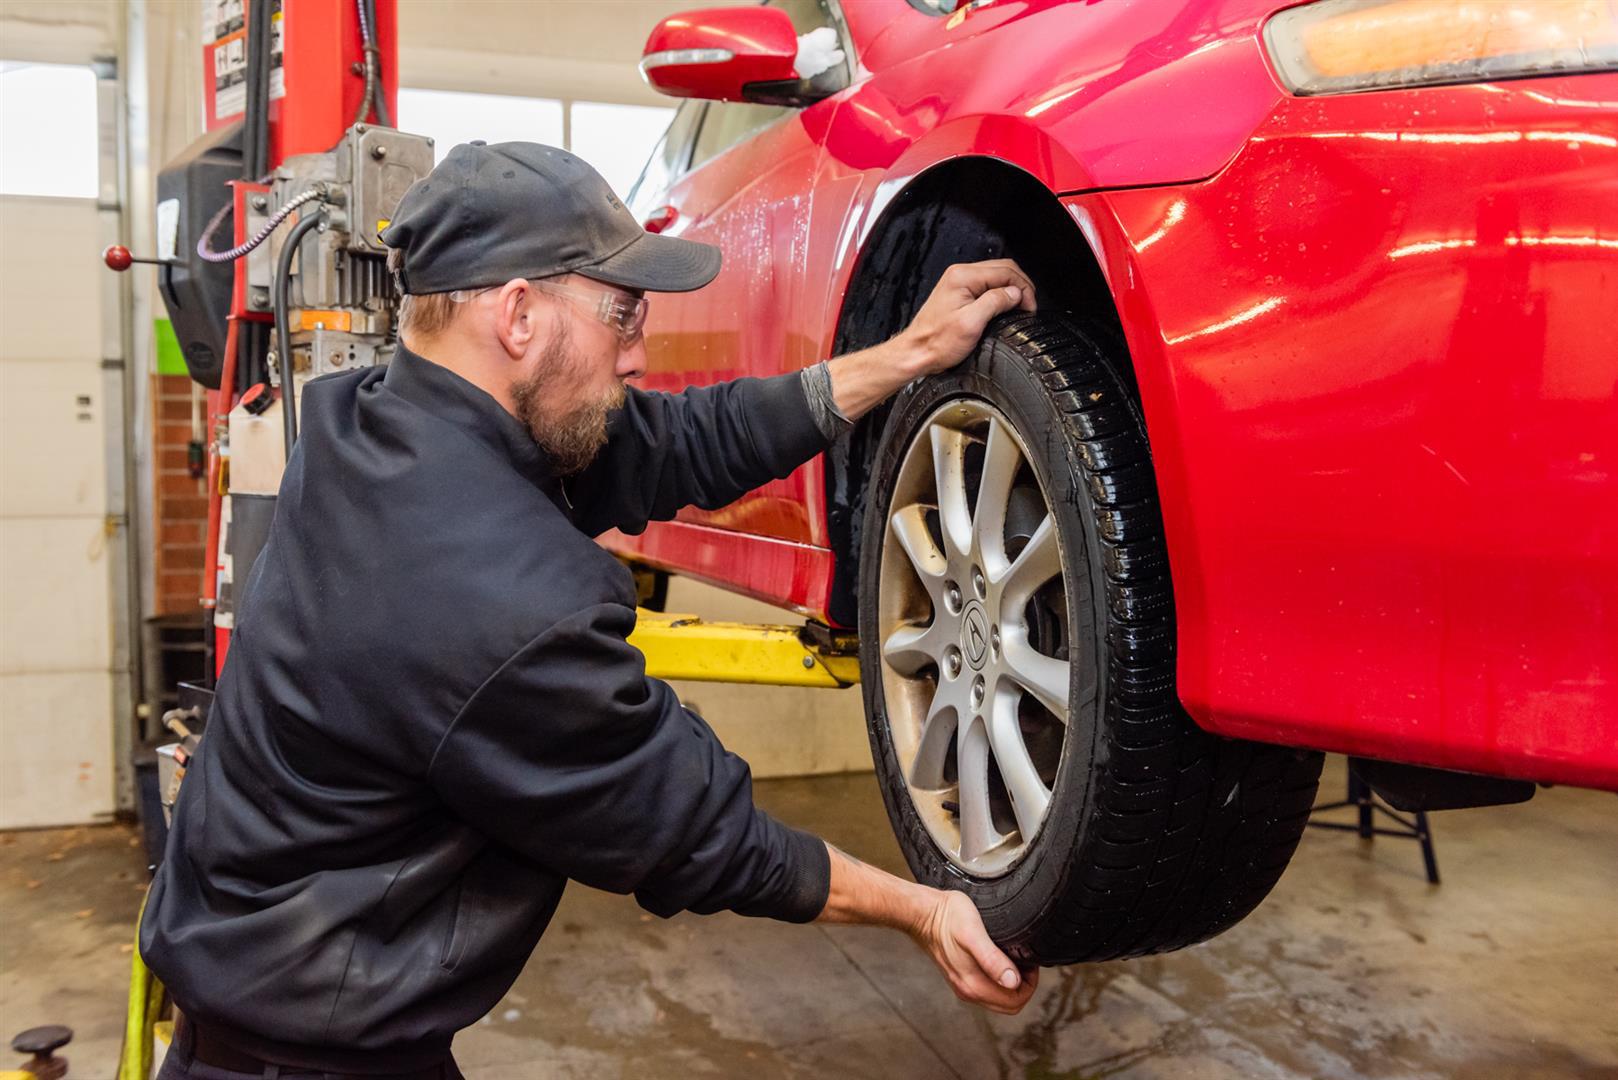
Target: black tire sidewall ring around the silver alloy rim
x: 1017, y: 903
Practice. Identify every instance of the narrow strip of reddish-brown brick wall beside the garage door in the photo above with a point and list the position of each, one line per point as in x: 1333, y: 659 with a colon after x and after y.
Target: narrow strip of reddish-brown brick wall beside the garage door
x: 182, y: 501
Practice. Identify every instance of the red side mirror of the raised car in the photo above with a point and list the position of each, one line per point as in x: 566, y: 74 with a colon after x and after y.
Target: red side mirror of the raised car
x: 727, y: 56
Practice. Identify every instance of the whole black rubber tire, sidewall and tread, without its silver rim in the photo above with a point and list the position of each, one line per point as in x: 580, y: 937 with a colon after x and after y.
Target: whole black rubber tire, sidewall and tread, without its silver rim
x: 1158, y: 835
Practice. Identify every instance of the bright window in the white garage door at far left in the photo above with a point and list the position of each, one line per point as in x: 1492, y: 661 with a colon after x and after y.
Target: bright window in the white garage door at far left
x: 48, y: 117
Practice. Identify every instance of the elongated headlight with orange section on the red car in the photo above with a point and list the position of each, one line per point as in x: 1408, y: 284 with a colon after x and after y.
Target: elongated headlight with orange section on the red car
x: 1347, y: 46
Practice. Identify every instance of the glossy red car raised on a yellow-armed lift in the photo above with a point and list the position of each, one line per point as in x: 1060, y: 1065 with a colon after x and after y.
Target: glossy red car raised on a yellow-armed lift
x: 1313, y: 444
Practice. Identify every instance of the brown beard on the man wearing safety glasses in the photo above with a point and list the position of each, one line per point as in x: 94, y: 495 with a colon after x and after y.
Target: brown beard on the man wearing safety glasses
x: 570, y: 435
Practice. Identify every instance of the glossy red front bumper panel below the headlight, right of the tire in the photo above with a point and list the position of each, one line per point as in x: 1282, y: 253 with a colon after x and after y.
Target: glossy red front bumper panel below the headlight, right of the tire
x: 1379, y: 364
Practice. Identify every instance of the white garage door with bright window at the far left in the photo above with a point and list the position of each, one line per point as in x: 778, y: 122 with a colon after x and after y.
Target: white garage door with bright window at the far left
x: 56, y: 613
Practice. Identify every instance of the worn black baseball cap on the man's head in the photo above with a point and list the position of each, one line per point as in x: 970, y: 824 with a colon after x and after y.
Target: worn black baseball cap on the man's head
x: 489, y: 215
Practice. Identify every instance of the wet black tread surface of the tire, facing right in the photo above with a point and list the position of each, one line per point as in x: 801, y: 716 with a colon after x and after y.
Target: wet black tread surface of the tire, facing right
x: 1188, y: 831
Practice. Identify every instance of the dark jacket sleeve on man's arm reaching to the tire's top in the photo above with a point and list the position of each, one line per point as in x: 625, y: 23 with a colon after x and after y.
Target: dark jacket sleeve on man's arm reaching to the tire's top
x: 706, y: 446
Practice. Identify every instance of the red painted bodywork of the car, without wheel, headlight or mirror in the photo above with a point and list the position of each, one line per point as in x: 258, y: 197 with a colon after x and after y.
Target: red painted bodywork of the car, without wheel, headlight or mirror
x: 1368, y: 330
